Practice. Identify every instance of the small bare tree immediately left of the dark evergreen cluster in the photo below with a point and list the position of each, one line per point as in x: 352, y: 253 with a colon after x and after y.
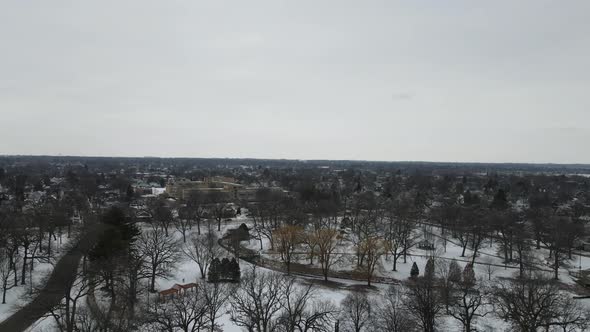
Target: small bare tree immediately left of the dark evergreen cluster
x: 201, y: 250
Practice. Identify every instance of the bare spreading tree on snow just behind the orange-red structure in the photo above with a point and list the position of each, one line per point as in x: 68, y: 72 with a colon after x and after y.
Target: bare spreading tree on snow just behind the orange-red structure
x: 160, y: 252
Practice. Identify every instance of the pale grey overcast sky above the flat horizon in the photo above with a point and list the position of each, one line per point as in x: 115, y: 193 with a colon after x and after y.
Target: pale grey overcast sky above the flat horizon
x: 497, y: 81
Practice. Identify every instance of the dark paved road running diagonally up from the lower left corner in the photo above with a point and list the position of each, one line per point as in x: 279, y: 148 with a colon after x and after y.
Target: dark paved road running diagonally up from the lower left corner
x: 53, y: 292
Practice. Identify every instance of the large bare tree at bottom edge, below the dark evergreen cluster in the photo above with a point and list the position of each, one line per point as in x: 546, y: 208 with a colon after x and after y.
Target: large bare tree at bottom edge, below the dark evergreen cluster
x: 257, y: 303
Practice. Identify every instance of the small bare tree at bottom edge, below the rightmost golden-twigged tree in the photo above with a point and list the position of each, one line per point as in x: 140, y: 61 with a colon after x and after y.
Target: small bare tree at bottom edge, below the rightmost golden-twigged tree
x: 357, y: 312
